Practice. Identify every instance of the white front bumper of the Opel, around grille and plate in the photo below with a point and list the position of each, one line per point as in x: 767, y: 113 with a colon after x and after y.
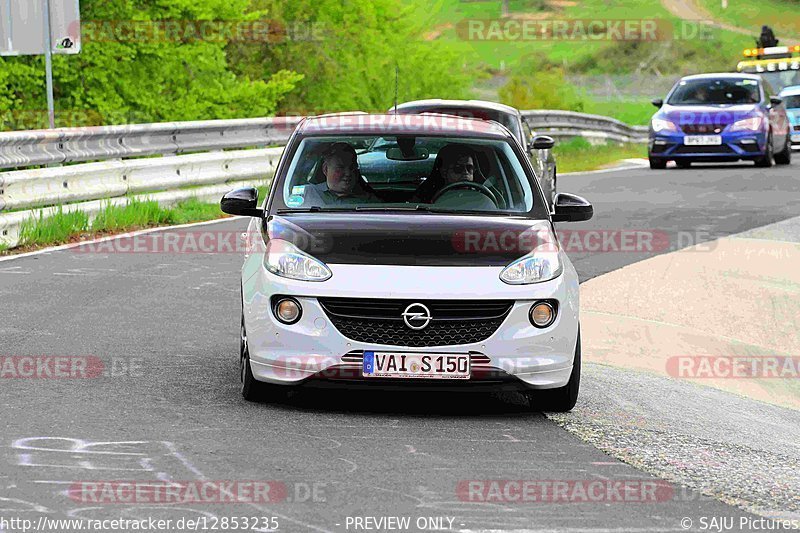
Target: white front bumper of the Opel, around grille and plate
x: 314, y: 352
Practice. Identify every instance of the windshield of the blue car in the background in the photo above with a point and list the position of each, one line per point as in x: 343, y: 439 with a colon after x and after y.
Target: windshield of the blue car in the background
x: 727, y: 91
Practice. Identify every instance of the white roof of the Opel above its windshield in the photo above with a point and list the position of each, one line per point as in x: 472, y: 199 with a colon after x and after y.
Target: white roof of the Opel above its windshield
x: 401, y: 124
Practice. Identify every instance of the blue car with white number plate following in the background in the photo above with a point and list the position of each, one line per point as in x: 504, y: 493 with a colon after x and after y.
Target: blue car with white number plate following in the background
x: 719, y: 118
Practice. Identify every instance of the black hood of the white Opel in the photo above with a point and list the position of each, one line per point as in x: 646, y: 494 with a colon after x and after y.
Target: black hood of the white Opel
x: 416, y: 239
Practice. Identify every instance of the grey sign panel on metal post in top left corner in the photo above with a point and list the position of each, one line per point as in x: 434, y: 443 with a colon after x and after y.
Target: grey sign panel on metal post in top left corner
x: 44, y: 27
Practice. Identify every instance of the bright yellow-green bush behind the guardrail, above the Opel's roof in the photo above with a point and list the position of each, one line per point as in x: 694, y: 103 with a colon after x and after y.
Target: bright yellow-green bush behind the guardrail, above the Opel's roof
x: 350, y: 62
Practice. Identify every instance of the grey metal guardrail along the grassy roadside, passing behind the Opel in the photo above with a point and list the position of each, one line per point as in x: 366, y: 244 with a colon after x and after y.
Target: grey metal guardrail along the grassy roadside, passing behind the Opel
x: 198, y: 160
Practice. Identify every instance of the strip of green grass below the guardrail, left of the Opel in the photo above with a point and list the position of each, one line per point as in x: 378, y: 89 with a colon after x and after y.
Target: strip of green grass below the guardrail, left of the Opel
x: 63, y: 226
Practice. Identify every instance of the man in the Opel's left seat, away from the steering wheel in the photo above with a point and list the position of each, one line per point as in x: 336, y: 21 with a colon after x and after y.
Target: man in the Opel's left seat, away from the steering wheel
x: 343, y: 182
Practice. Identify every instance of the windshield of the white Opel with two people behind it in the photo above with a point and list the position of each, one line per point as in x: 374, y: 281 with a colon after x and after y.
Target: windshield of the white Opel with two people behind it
x: 367, y: 173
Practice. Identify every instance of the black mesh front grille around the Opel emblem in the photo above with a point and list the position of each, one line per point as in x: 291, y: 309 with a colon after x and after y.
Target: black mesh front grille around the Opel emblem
x: 453, y: 322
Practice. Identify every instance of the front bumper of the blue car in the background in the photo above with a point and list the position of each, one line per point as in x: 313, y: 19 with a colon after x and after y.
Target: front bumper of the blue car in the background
x: 735, y: 146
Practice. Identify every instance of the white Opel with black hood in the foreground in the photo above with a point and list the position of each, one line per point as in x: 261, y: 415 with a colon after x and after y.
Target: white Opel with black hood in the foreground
x: 454, y: 279
